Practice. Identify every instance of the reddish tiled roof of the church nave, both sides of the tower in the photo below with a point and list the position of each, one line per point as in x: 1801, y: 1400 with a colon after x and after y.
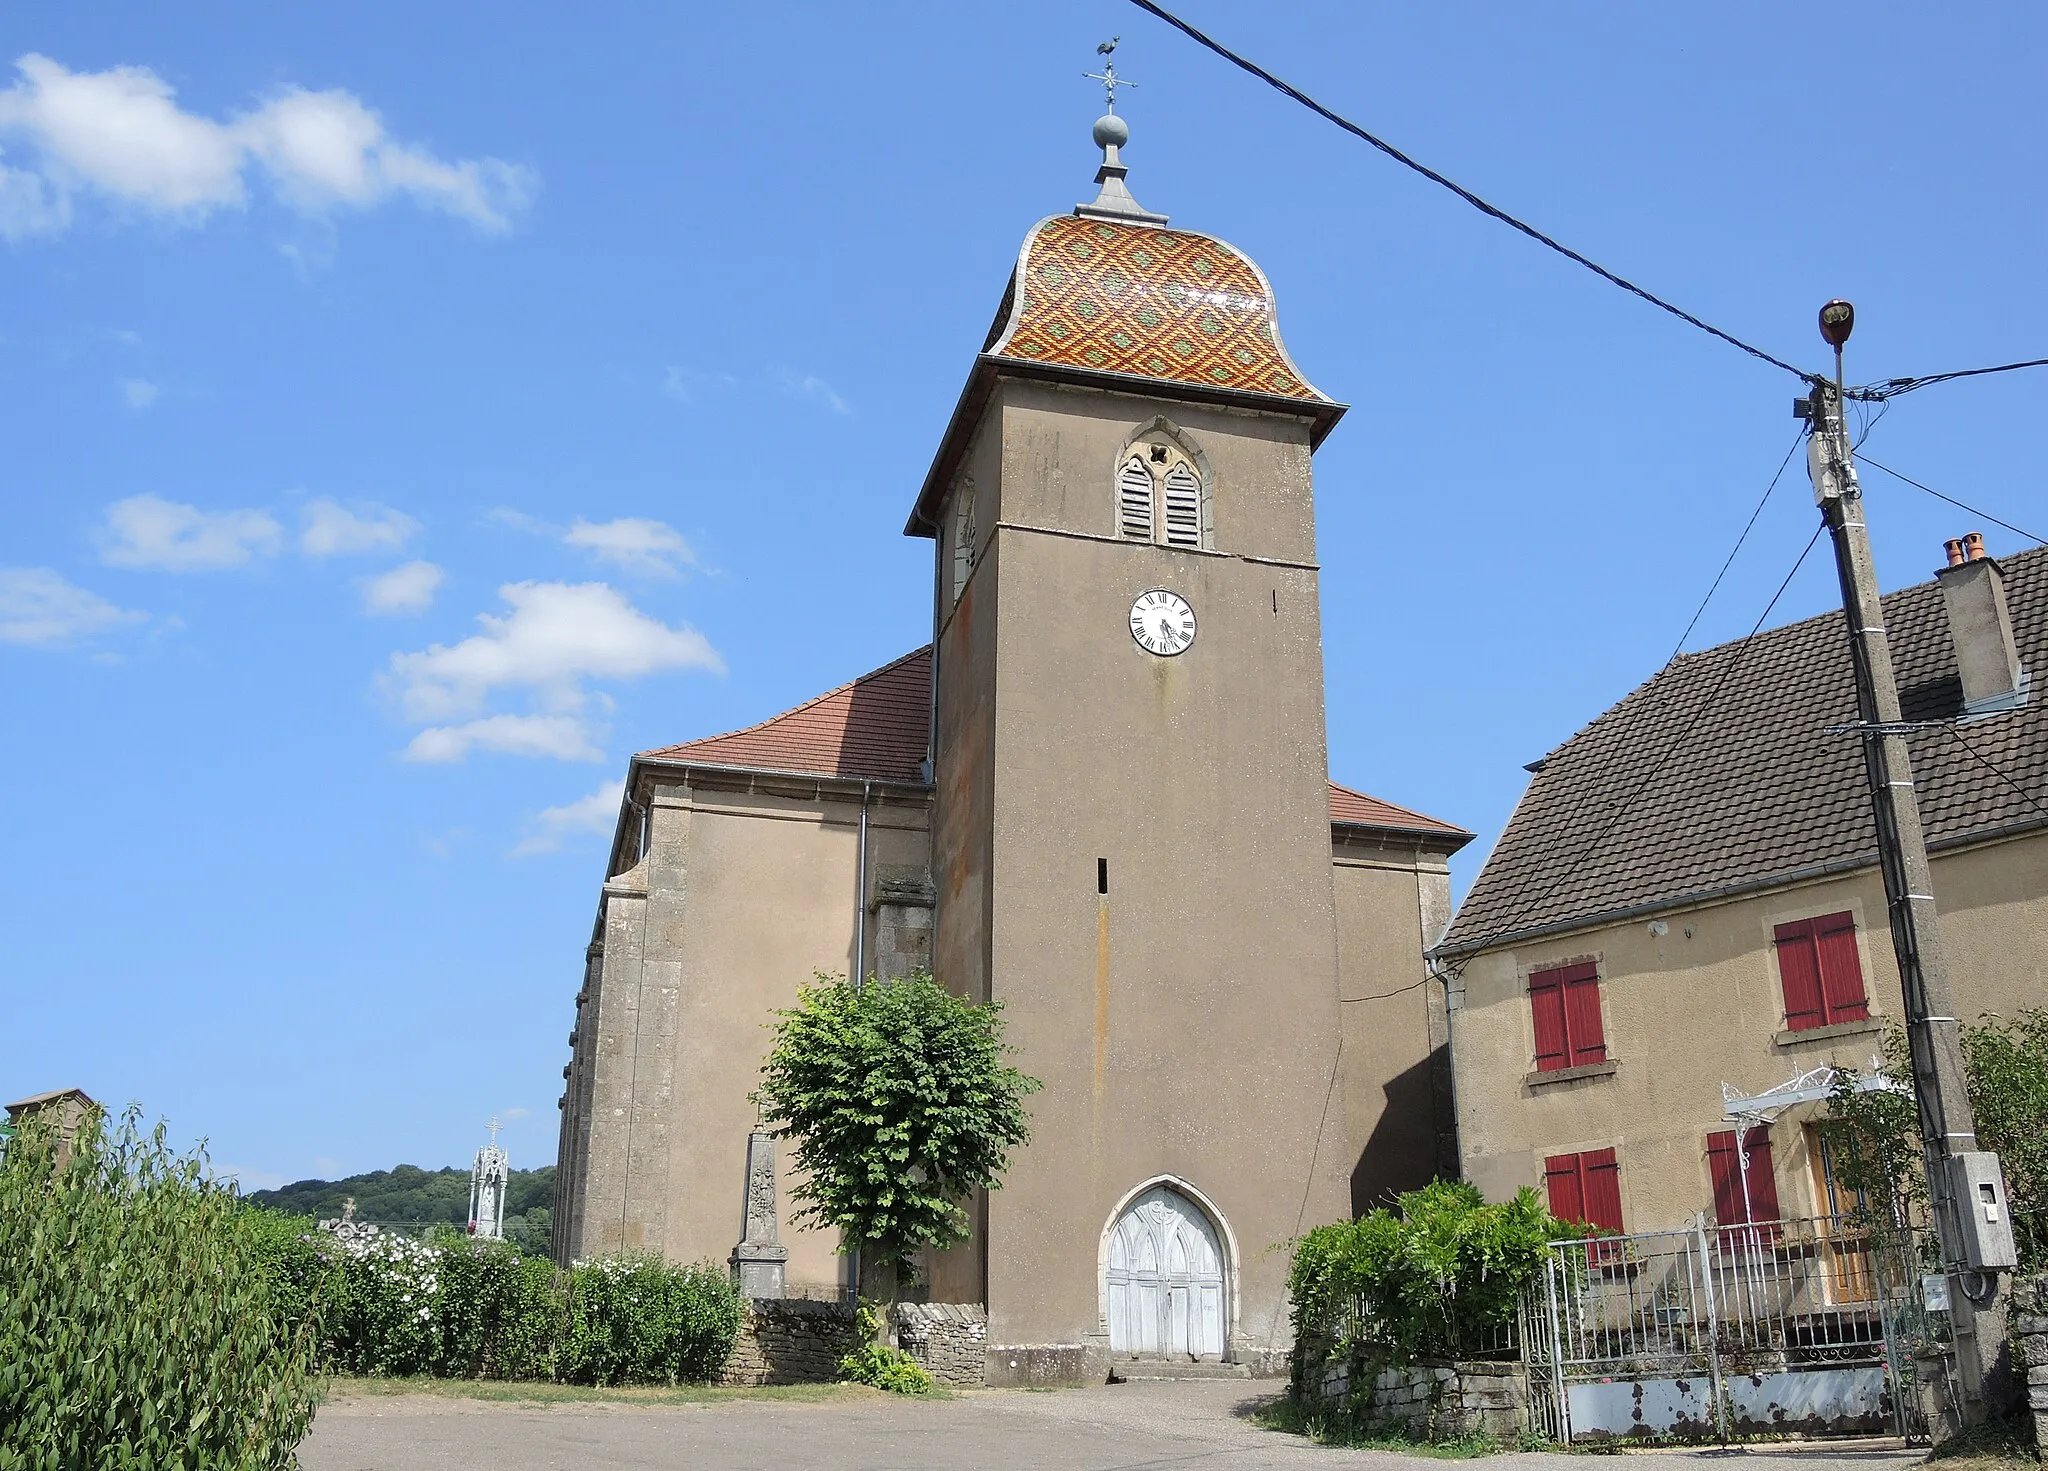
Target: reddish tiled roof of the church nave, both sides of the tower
x: 876, y: 730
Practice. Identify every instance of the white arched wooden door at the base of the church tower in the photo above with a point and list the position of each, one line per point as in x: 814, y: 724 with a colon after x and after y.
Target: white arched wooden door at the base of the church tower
x: 1164, y: 1279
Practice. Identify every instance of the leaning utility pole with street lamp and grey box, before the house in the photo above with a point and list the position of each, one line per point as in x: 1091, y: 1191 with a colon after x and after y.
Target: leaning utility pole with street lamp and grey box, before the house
x: 1965, y: 1187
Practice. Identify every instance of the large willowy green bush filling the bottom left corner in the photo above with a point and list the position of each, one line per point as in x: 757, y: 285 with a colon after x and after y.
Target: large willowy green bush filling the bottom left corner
x: 138, y: 1322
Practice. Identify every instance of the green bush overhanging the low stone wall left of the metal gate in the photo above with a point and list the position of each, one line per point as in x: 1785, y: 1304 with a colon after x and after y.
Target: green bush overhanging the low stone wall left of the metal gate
x: 1437, y: 1277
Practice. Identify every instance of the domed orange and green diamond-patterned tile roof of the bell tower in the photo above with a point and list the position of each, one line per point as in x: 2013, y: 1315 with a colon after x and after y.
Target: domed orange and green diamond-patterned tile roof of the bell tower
x: 1146, y: 302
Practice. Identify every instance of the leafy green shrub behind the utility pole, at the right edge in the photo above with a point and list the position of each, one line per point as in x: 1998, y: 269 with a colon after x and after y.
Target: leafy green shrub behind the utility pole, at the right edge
x: 1875, y: 1136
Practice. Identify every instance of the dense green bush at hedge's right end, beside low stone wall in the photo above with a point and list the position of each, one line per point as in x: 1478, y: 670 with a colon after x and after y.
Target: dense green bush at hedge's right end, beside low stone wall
x: 636, y: 1320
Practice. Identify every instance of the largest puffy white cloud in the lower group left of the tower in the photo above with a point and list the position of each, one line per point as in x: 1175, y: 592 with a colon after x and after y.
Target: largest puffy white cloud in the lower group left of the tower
x: 556, y: 638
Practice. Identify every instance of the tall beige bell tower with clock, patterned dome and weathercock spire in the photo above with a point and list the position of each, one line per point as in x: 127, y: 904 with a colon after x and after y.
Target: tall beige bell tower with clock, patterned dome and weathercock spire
x: 1132, y: 831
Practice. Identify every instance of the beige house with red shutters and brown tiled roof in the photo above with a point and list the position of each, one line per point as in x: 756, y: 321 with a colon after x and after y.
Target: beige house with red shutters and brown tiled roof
x: 1687, y: 909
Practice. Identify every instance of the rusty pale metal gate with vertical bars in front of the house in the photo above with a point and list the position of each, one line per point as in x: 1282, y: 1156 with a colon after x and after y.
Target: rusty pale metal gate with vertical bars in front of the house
x: 1727, y: 1333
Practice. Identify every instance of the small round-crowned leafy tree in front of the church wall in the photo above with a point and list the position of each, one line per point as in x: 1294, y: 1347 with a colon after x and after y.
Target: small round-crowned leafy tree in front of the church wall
x: 902, y: 1105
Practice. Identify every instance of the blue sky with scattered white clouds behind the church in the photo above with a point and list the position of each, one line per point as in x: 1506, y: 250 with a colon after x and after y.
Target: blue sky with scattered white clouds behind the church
x: 413, y: 411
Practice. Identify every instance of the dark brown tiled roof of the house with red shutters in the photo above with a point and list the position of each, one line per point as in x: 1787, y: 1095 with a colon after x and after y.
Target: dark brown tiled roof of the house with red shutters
x: 1756, y: 792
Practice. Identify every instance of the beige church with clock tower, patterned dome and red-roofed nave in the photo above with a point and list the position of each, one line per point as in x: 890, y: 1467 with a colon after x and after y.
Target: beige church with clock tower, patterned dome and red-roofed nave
x: 1101, y: 796
